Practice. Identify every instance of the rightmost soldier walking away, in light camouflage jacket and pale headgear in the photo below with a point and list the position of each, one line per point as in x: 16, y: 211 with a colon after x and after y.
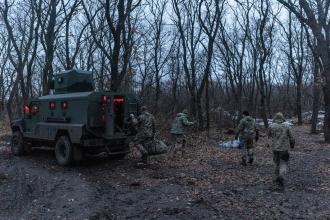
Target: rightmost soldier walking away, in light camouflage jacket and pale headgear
x: 281, y: 139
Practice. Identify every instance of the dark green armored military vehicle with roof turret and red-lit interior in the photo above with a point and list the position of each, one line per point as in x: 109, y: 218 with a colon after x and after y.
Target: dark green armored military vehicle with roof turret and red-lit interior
x: 75, y: 120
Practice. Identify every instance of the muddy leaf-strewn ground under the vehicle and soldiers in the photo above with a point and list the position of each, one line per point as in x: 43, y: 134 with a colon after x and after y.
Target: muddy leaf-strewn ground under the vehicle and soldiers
x: 207, y: 183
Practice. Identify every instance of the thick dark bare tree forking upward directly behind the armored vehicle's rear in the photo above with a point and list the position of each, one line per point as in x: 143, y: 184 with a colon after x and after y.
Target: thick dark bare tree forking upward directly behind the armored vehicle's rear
x: 117, y: 16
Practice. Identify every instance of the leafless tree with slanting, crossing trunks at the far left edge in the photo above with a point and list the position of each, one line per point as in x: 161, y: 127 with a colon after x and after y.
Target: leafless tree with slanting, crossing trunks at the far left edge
x: 20, y: 44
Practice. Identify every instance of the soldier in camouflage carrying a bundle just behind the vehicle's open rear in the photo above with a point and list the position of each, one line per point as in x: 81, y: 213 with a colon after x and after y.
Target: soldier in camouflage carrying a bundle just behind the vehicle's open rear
x: 145, y: 124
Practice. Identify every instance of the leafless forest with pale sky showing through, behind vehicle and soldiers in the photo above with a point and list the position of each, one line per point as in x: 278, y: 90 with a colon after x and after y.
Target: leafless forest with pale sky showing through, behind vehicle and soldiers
x: 261, y: 55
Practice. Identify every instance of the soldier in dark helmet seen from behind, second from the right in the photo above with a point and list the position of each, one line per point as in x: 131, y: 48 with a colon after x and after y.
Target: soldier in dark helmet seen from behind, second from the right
x: 246, y: 132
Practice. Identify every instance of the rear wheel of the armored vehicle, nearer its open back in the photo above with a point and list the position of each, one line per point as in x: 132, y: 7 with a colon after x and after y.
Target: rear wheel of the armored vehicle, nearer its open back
x: 64, y: 151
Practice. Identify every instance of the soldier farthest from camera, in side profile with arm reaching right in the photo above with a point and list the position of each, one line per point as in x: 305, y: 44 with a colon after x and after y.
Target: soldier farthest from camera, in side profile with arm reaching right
x: 178, y: 131
